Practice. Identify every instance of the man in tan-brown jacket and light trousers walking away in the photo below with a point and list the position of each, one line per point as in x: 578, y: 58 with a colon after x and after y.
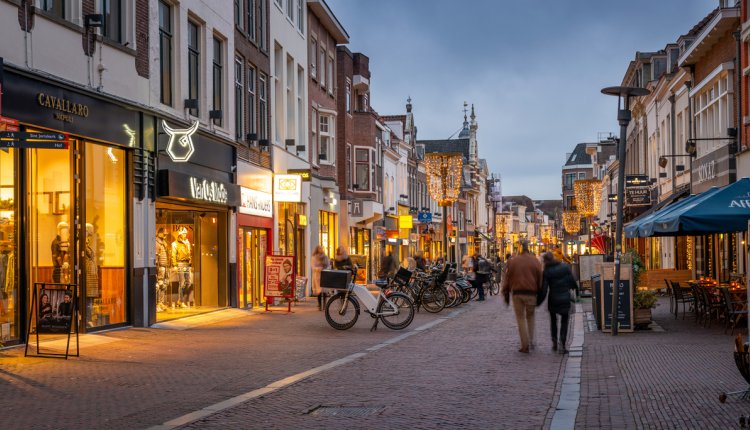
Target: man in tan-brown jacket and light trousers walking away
x: 523, y: 278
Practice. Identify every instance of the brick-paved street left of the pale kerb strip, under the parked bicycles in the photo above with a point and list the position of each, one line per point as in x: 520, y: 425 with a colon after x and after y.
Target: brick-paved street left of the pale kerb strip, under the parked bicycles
x: 459, y: 370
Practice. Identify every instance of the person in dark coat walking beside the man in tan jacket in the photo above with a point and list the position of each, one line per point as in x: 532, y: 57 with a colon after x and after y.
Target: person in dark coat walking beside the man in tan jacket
x: 559, y: 281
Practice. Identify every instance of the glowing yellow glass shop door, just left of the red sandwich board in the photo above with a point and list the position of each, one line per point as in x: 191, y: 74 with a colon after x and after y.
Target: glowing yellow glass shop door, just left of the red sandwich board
x: 254, y: 248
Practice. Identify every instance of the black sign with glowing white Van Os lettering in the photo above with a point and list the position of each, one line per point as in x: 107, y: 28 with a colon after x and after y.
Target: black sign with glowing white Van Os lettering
x: 202, y: 190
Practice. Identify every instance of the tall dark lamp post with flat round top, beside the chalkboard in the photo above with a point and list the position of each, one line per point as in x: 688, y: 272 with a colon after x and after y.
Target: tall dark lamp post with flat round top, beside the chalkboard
x: 623, y: 94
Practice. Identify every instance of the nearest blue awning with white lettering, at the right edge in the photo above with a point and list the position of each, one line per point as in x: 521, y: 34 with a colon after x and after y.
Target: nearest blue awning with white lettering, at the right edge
x: 718, y: 210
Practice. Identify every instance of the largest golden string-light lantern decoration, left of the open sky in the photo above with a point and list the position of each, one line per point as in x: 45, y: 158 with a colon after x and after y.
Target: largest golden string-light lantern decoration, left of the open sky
x: 444, y: 176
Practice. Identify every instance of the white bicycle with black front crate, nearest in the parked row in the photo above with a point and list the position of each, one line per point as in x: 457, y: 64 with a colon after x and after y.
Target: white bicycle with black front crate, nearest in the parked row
x: 396, y: 310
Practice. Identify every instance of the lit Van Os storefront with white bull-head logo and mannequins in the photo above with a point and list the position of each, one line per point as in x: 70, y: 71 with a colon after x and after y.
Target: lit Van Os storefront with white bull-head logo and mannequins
x: 195, y: 199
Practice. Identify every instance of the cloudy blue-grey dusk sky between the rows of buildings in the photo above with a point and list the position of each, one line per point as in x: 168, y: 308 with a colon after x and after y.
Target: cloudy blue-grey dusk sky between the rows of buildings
x: 533, y: 70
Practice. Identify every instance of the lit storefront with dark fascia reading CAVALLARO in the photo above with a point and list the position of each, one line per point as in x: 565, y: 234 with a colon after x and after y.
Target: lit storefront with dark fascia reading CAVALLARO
x: 64, y: 206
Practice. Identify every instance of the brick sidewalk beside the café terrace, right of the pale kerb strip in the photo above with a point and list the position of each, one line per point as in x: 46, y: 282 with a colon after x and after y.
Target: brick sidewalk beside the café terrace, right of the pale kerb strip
x: 660, y: 379
